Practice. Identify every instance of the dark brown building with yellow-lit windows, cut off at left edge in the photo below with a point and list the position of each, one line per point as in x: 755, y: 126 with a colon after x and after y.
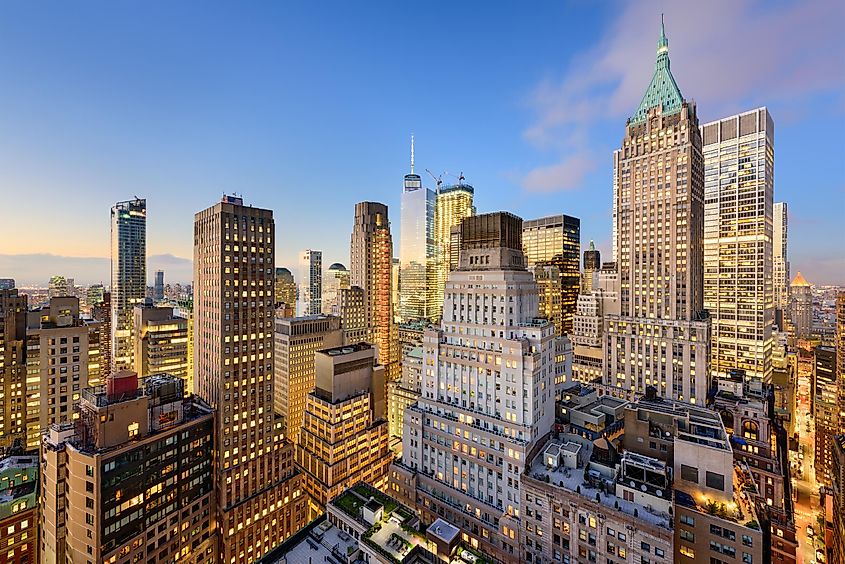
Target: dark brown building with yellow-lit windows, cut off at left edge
x: 13, y: 359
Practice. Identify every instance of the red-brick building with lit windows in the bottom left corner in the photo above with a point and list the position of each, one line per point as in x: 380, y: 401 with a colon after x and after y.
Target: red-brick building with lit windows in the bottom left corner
x: 19, y: 507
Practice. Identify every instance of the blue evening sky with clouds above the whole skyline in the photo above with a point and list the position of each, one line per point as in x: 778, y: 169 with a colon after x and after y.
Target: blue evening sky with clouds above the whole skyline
x: 307, y: 108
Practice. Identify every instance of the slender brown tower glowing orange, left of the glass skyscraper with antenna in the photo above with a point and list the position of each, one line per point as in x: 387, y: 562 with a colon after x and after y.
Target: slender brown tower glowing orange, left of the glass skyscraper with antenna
x: 372, y: 270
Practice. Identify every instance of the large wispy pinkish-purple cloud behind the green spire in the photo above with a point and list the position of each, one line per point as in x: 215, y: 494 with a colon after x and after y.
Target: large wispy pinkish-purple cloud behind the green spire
x: 728, y: 55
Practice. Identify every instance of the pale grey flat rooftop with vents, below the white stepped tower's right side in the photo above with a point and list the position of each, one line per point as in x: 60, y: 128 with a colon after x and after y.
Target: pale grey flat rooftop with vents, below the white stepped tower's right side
x: 584, y: 482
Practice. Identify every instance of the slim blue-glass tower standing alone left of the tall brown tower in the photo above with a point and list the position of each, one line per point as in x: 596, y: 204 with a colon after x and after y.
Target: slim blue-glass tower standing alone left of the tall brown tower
x: 128, y: 275
